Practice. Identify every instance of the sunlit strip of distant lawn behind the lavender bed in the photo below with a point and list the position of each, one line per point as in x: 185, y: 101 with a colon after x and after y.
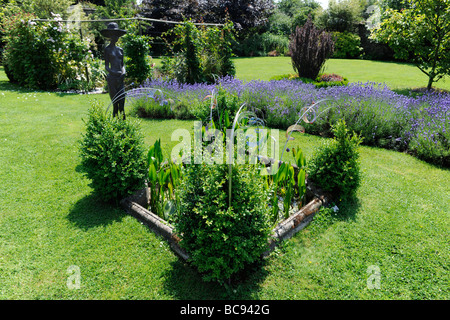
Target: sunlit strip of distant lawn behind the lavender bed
x: 395, y: 75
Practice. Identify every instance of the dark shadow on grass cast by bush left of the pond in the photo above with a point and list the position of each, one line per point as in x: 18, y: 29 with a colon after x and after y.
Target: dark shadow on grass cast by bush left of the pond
x: 90, y: 212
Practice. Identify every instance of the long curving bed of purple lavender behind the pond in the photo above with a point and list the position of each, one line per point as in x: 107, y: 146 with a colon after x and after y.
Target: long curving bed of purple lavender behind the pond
x: 419, y: 125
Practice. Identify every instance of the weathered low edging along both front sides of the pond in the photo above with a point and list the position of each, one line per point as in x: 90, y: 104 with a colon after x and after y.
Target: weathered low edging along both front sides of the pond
x: 137, y: 203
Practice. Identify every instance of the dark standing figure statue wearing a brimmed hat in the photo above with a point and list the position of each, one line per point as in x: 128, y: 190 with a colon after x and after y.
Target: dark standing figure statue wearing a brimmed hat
x: 115, y: 67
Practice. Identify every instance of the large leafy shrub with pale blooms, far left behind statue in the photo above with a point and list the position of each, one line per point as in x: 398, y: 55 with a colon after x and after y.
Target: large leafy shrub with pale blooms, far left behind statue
x: 44, y: 55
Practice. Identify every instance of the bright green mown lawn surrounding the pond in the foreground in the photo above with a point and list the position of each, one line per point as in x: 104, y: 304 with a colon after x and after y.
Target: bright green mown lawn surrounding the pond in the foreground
x: 50, y: 220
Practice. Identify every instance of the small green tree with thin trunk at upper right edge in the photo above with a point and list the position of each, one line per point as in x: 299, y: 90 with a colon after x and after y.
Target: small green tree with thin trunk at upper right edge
x: 421, y: 34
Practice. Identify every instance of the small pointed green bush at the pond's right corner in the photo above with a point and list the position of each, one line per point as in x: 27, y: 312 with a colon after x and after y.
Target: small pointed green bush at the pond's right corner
x: 335, y: 166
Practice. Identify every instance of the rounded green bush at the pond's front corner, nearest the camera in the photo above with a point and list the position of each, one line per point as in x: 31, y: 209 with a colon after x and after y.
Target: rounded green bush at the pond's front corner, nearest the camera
x: 222, y: 239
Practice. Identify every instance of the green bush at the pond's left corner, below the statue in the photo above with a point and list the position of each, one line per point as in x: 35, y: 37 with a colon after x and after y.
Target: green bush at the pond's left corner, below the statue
x: 112, y: 155
